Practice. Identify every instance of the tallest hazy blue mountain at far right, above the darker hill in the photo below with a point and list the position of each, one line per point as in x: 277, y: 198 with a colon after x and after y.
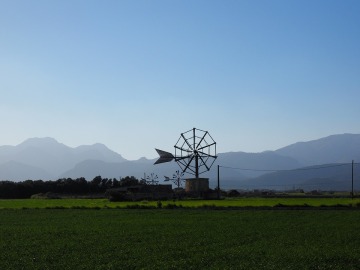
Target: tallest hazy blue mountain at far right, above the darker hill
x: 332, y: 149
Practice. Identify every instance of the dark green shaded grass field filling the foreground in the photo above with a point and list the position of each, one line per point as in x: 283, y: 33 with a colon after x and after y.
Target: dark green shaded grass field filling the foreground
x: 179, y: 239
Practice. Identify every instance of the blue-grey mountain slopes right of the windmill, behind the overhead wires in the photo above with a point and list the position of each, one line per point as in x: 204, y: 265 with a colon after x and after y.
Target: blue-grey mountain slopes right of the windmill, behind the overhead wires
x: 333, y: 149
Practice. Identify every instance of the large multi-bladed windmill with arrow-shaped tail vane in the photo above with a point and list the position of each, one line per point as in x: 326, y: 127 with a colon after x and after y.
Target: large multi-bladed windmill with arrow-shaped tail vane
x: 195, y: 153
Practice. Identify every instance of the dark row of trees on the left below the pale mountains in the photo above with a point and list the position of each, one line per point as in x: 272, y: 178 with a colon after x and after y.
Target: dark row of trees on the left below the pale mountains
x: 78, y: 186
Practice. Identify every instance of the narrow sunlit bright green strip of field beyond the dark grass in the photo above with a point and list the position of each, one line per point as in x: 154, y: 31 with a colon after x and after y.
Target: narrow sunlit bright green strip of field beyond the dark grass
x: 238, y: 202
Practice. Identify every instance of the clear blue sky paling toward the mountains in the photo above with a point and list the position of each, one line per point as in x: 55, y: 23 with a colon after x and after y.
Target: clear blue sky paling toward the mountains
x: 133, y: 75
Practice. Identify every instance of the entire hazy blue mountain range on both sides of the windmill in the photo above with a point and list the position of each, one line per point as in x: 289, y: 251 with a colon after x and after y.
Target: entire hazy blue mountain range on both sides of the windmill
x: 47, y: 159
